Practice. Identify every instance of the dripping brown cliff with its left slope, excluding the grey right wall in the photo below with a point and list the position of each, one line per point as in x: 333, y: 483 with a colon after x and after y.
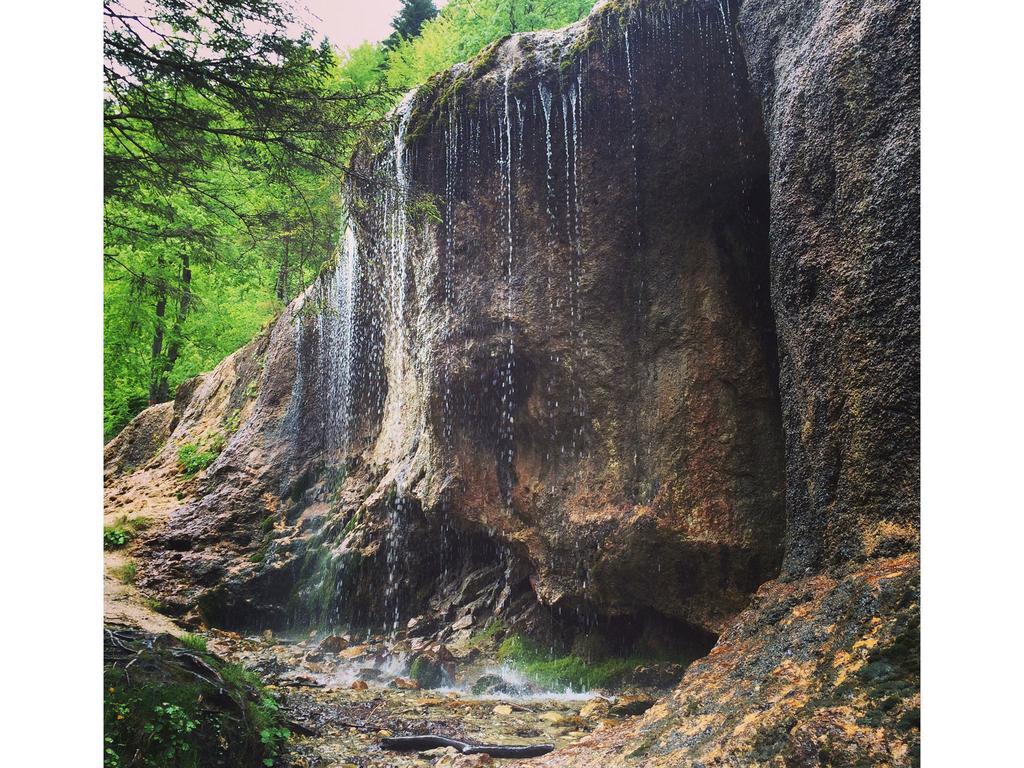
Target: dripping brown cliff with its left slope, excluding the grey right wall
x: 547, y: 347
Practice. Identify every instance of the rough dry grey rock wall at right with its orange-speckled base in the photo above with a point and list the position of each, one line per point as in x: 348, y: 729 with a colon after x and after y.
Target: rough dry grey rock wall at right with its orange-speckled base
x: 824, y: 667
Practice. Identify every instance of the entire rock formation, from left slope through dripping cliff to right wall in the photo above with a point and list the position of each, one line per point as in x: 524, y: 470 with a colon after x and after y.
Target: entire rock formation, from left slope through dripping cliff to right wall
x: 544, y: 379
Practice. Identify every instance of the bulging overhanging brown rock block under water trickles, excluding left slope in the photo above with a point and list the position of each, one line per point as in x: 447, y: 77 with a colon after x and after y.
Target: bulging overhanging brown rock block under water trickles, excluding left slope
x: 580, y: 357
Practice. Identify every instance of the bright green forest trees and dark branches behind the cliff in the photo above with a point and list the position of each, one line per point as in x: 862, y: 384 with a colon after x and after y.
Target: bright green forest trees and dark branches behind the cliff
x: 226, y: 137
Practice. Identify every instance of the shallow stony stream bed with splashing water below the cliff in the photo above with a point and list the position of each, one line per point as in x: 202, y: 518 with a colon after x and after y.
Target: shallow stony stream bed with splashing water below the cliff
x: 342, y: 705
